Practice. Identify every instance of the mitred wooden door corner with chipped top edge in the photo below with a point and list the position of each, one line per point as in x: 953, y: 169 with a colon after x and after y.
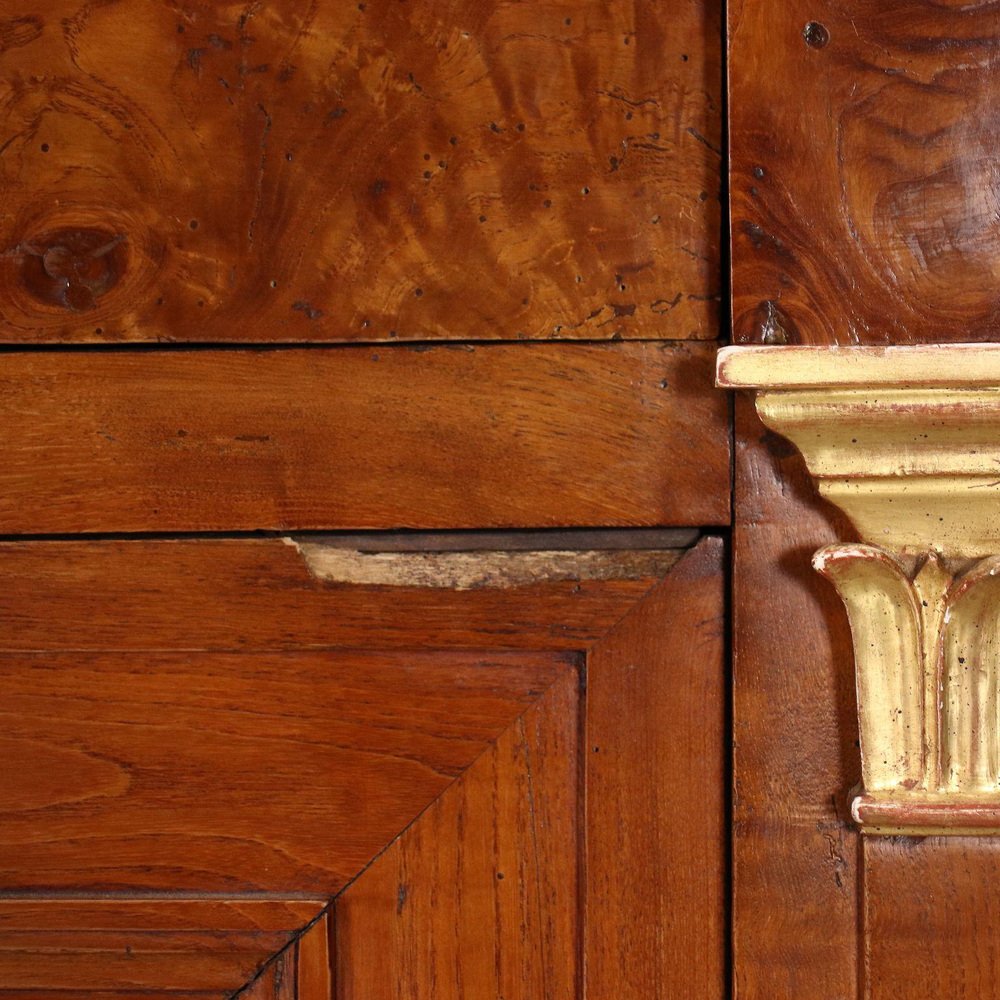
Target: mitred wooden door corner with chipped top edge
x: 214, y: 703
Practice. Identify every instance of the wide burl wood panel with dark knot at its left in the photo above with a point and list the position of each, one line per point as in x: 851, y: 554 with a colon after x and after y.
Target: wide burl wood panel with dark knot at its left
x: 358, y: 171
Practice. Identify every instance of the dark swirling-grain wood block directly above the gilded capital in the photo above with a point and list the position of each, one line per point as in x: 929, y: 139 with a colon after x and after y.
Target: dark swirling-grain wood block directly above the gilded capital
x: 864, y: 173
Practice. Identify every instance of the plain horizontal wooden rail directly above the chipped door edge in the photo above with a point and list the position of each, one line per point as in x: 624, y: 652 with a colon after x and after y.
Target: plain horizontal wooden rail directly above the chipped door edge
x: 501, y: 436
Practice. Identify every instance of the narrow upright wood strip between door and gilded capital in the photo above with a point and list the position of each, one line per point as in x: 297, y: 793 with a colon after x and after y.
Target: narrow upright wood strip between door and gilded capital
x: 795, y: 907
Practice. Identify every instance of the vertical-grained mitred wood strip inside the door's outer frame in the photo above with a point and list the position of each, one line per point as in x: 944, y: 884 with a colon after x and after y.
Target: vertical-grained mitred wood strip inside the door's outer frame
x: 479, y: 897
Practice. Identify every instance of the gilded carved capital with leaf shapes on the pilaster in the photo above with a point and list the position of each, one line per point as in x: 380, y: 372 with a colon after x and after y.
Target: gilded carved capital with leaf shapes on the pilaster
x: 906, y: 442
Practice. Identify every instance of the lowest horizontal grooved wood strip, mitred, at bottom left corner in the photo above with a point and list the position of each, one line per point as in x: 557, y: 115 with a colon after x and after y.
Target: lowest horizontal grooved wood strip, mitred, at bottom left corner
x: 153, y: 946
